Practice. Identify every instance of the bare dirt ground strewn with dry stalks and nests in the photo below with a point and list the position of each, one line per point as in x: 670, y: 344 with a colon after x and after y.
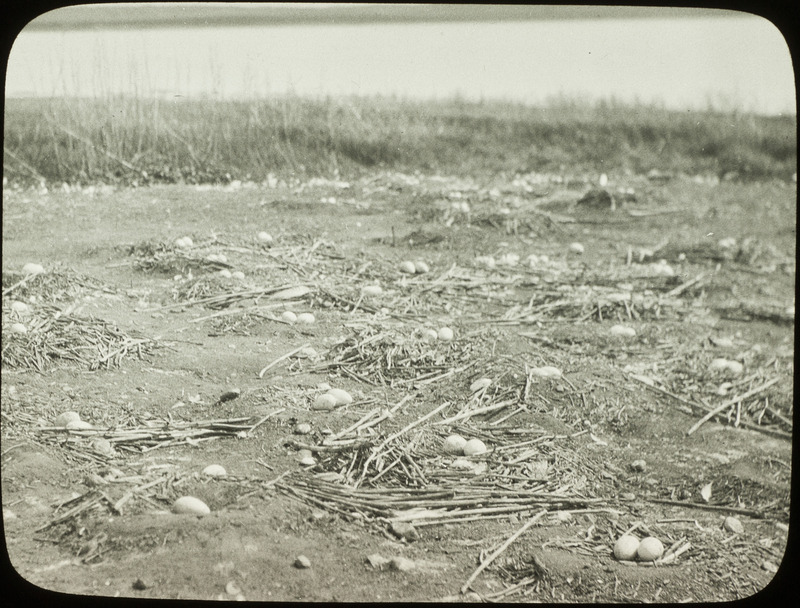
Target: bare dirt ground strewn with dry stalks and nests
x: 598, y: 451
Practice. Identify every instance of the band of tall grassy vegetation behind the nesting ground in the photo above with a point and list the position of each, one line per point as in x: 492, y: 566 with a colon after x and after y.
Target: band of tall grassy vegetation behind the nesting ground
x: 138, y: 141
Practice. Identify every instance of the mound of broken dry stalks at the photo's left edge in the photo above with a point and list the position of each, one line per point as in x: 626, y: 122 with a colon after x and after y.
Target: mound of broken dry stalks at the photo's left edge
x: 53, y: 334
